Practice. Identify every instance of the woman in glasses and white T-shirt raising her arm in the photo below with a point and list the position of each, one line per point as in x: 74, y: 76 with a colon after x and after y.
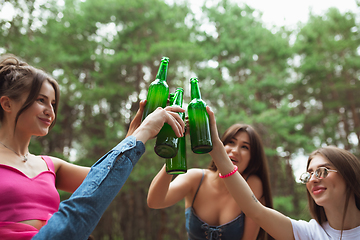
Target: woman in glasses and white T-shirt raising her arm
x: 333, y: 187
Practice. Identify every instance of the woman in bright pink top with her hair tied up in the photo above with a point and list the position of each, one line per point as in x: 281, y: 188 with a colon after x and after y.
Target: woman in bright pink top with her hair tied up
x: 29, y: 101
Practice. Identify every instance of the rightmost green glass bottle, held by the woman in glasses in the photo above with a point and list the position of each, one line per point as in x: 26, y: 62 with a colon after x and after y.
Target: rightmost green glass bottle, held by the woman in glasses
x: 198, y: 121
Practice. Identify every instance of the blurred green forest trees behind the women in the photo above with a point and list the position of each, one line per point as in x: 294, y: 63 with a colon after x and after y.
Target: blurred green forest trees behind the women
x: 297, y: 87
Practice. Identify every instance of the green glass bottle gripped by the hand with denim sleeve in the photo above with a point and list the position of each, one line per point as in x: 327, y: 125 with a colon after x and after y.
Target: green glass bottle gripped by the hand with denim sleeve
x: 167, y: 142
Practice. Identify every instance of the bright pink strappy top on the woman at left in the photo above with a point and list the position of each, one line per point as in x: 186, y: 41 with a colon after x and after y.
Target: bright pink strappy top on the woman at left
x: 23, y: 198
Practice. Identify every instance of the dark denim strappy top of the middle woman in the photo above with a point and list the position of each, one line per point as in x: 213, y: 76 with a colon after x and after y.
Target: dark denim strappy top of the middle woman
x: 197, y: 229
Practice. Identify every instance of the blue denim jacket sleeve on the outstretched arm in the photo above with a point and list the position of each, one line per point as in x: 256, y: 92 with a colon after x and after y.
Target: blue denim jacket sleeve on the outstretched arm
x: 78, y: 216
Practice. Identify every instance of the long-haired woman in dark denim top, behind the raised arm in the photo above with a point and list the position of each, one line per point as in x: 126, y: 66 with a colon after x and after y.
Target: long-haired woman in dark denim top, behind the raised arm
x: 210, y: 210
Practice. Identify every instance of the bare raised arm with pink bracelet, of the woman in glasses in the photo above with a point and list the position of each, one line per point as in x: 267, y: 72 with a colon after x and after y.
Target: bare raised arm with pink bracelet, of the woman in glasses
x: 273, y: 222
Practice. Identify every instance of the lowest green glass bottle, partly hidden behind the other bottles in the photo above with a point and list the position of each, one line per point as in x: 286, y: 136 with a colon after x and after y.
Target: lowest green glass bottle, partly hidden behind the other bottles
x: 178, y: 164
